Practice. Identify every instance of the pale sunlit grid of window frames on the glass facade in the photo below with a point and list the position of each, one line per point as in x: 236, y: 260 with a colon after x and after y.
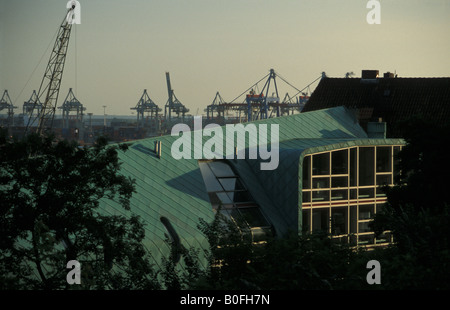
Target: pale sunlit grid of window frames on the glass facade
x: 357, y: 195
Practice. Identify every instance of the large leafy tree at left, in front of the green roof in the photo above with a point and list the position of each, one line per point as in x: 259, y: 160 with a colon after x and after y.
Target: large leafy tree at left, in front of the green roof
x: 49, y: 214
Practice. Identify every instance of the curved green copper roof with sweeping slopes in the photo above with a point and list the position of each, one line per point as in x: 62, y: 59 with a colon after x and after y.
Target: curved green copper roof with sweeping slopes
x: 174, y: 189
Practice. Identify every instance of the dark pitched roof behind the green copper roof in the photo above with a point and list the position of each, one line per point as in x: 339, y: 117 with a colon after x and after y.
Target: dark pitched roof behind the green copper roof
x: 392, y: 99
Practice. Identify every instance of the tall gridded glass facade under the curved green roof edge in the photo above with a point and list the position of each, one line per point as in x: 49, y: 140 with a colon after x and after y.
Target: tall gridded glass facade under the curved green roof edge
x: 342, y: 190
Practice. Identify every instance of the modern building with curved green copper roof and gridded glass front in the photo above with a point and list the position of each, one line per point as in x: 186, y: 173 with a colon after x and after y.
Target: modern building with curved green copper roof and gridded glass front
x: 329, y: 178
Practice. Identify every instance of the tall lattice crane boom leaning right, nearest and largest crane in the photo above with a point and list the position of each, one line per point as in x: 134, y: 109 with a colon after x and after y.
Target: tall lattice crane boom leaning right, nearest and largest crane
x: 51, y: 81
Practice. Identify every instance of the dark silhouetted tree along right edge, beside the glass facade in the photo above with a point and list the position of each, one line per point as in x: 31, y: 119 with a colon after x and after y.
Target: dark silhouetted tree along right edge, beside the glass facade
x: 418, y: 211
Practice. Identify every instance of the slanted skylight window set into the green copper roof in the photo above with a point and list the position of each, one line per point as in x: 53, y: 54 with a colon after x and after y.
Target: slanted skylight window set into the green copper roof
x: 228, y: 194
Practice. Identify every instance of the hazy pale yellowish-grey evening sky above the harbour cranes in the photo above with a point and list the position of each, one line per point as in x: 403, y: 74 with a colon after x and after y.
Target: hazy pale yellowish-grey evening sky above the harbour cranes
x: 208, y: 46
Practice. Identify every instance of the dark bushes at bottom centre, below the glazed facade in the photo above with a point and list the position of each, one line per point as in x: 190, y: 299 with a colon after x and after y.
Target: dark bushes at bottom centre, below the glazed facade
x: 293, y: 262
